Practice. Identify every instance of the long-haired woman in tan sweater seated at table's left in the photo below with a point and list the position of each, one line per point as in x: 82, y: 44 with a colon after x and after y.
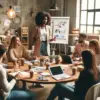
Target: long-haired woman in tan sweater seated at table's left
x: 16, y: 50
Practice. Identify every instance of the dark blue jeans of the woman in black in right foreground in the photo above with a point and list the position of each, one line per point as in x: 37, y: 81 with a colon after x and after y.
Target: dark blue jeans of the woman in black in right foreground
x: 62, y: 91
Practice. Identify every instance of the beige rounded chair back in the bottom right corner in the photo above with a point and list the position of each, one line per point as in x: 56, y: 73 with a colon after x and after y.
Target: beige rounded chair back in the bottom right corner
x: 93, y: 92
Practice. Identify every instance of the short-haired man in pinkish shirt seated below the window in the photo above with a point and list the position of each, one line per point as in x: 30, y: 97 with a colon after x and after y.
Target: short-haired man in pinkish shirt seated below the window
x: 81, y: 45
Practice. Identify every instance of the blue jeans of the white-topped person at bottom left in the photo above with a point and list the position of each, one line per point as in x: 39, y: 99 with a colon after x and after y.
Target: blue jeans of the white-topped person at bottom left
x: 21, y: 95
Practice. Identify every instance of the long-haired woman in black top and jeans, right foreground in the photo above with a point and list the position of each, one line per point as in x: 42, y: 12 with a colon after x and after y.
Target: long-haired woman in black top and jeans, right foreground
x: 87, y: 78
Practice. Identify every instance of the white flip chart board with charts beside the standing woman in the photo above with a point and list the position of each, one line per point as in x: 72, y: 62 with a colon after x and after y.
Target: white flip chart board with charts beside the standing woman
x: 60, y: 29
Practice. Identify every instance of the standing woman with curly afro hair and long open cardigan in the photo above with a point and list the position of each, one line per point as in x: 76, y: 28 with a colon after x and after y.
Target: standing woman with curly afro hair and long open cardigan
x: 41, y: 35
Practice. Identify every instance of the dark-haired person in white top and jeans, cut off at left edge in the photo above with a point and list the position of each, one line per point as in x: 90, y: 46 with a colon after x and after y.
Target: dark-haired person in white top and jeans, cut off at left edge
x: 6, y: 87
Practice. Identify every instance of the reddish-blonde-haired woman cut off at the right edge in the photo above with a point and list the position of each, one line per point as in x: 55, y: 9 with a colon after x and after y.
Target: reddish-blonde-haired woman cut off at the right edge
x: 95, y: 46
